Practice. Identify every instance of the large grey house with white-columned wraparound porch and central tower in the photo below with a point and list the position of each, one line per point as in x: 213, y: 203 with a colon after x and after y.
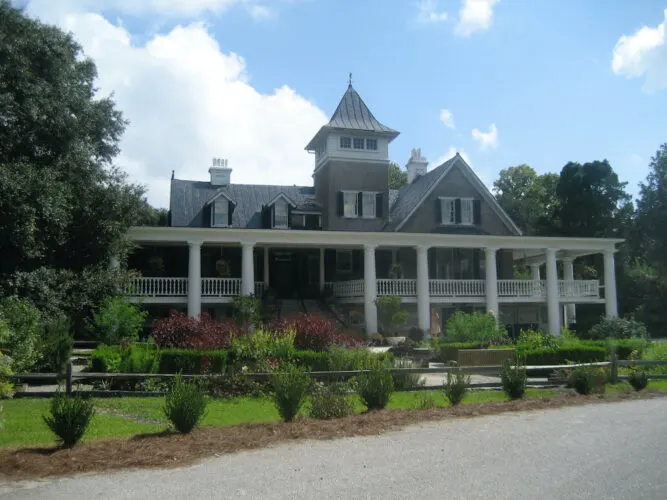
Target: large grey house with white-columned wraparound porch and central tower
x: 441, y: 243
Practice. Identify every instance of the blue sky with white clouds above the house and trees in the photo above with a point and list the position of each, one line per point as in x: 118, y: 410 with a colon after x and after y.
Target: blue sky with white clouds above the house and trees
x: 503, y: 82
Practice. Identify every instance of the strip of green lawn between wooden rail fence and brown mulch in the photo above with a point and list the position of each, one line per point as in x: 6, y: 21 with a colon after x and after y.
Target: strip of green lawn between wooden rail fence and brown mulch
x: 123, y: 417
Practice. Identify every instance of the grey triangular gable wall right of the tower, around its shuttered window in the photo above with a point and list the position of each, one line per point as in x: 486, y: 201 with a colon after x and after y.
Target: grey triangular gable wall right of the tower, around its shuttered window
x: 457, y: 182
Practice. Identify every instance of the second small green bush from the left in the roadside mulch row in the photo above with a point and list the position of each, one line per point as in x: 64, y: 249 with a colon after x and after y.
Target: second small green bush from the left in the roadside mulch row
x: 185, y: 405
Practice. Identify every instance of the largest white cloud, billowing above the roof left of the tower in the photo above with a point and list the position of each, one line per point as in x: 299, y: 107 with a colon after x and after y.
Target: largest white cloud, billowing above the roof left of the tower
x: 187, y: 101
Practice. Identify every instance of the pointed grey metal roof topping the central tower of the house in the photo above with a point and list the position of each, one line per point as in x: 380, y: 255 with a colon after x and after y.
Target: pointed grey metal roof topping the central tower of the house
x: 352, y: 114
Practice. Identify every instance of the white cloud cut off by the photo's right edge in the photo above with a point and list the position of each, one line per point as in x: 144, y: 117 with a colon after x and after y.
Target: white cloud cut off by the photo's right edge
x: 643, y: 54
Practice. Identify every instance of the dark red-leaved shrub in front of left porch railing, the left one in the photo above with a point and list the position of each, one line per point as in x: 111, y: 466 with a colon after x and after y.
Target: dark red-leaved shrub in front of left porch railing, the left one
x: 180, y: 331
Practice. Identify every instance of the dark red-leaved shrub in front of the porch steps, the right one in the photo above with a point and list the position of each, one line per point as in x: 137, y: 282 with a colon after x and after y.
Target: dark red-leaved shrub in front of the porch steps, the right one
x: 313, y: 332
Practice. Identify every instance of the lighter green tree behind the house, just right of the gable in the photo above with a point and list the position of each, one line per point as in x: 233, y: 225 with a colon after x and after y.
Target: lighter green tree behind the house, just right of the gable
x: 527, y: 198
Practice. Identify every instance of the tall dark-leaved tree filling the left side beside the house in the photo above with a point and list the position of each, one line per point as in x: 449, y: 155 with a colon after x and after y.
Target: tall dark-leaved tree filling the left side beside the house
x: 64, y: 207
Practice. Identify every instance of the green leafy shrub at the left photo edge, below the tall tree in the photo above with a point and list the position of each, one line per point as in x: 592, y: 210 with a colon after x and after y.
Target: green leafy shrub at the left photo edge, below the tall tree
x: 22, y: 329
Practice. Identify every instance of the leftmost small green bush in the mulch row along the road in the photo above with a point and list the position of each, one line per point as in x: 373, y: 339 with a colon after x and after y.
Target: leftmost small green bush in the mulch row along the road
x: 69, y: 417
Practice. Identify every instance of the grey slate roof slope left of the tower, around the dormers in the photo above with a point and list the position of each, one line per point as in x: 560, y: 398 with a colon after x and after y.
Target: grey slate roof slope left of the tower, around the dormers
x: 188, y: 200
